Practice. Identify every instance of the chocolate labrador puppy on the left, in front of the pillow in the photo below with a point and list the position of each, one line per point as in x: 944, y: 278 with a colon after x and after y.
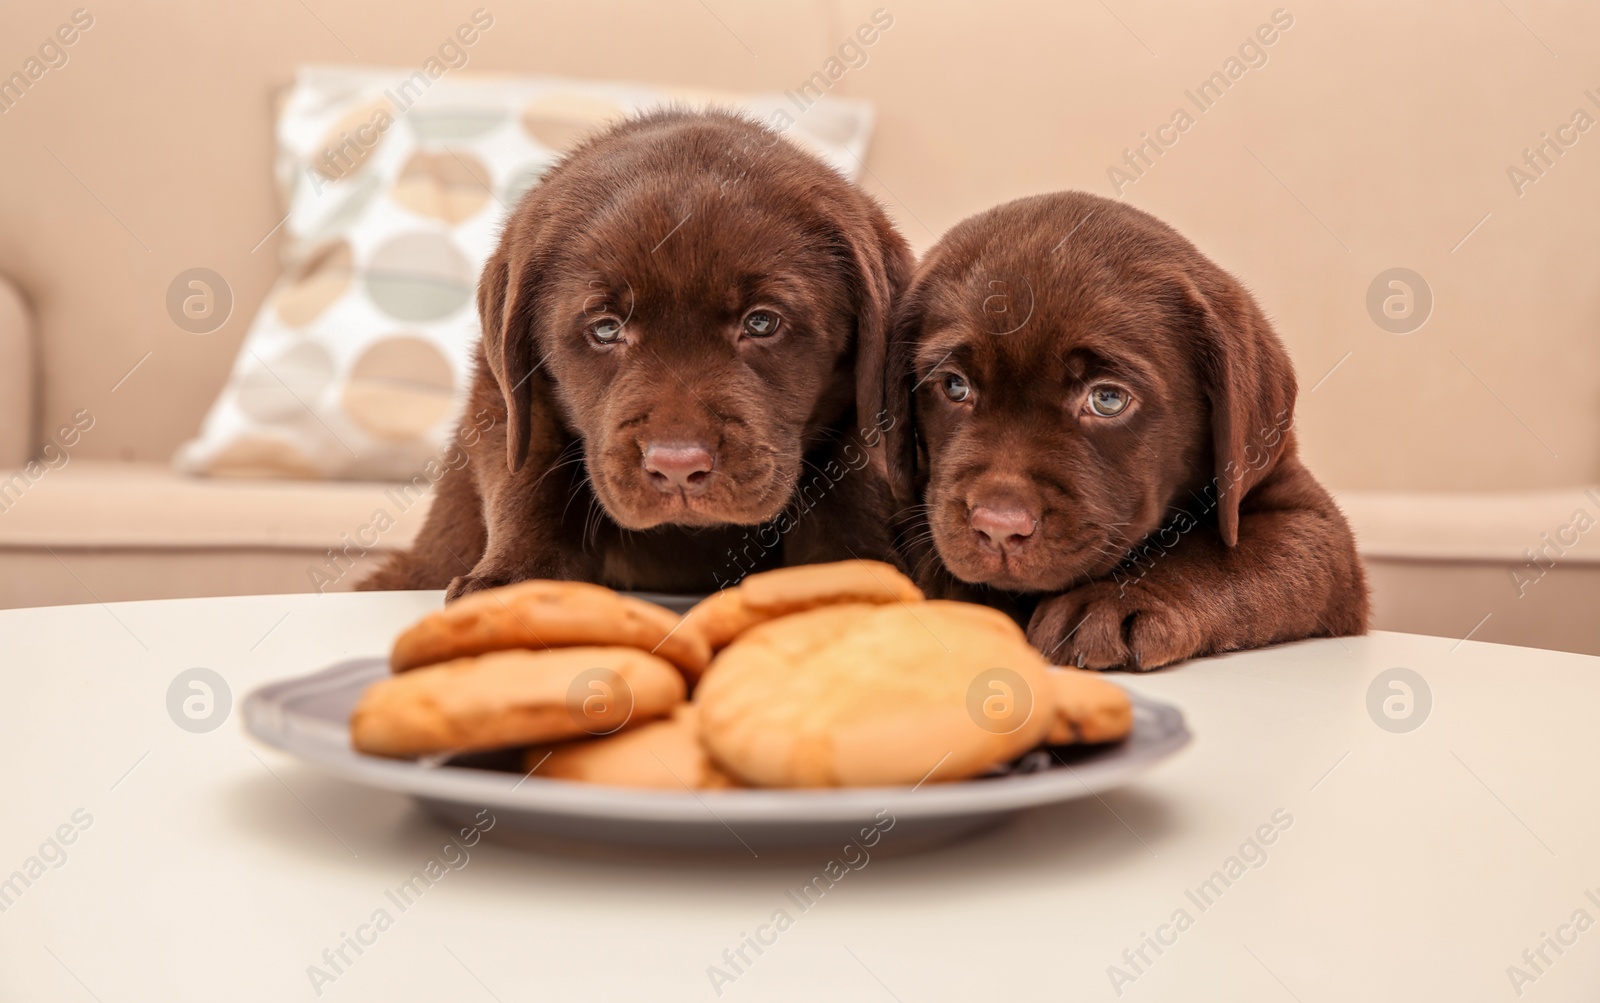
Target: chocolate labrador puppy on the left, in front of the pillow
x: 673, y: 332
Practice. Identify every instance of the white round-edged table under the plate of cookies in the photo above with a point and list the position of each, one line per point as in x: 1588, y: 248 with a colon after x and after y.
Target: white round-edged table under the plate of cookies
x: 1418, y: 866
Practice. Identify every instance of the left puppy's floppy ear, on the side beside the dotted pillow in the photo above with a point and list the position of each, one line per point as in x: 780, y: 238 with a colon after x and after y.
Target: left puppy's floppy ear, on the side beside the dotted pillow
x: 506, y: 306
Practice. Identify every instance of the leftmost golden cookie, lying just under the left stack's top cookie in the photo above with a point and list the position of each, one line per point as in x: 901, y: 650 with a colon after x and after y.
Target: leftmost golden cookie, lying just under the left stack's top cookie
x: 513, y: 698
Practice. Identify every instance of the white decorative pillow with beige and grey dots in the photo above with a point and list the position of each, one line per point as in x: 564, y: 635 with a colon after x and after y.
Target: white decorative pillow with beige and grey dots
x: 398, y: 186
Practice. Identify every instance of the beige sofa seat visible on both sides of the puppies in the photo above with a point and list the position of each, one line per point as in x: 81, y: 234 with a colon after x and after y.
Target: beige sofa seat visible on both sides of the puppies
x: 103, y: 532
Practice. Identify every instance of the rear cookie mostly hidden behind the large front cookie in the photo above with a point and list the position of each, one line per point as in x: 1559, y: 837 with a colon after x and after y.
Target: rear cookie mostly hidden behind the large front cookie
x: 772, y: 594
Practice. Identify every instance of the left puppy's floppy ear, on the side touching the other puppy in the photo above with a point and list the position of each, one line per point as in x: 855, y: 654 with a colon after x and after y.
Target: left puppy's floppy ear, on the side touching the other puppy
x: 881, y: 263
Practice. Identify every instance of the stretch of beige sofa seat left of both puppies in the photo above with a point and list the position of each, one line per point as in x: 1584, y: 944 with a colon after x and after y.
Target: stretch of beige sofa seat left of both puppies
x: 106, y: 532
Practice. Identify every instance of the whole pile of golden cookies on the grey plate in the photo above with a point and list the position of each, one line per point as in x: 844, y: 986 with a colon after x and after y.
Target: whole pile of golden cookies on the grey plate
x: 825, y: 676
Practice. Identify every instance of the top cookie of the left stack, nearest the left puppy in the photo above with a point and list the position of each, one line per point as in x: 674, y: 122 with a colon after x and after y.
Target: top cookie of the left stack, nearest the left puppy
x: 548, y: 615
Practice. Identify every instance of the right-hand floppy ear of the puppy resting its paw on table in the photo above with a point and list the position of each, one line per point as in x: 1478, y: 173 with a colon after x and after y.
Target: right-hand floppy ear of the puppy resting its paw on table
x: 1250, y: 385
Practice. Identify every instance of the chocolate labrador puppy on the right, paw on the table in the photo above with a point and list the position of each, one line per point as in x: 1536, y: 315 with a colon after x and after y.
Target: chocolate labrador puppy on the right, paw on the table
x: 1098, y: 426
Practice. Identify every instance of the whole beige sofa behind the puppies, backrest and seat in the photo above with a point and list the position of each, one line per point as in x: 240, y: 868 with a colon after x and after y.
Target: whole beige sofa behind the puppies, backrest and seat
x: 1362, y: 138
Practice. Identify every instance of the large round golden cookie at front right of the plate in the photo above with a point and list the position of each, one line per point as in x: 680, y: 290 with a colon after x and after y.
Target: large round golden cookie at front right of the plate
x: 874, y: 695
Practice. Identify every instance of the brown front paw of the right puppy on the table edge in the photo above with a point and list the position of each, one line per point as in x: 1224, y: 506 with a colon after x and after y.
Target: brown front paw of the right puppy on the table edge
x: 1106, y: 626
